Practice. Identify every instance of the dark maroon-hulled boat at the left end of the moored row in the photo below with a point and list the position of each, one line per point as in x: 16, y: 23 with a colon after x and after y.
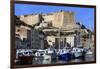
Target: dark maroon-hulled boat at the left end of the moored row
x: 24, y: 56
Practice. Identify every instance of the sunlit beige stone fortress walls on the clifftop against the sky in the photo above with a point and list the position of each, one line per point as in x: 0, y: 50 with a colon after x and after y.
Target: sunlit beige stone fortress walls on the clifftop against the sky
x: 58, y: 19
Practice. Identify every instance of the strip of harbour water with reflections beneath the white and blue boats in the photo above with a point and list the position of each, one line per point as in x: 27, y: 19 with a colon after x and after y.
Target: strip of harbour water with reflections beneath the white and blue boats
x: 42, y: 61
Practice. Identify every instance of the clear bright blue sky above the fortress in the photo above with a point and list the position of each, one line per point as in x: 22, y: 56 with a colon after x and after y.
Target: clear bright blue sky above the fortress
x: 82, y: 15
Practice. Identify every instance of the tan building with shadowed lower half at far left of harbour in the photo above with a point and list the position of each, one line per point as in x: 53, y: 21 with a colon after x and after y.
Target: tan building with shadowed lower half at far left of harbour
x: 22, y: 37
